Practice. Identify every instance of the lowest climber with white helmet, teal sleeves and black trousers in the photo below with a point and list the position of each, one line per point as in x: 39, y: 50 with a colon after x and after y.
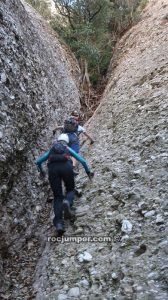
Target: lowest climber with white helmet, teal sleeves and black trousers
x: 60, y: 169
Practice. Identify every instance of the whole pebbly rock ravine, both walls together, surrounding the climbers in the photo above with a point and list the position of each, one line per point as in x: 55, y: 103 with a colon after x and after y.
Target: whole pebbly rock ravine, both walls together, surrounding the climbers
x: 127, y: 199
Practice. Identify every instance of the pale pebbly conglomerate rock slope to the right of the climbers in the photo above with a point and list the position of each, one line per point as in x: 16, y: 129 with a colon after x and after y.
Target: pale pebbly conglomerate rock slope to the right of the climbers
x: 128, y: 197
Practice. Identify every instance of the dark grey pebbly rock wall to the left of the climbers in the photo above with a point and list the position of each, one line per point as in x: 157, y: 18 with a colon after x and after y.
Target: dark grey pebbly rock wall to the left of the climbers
x: 37, y: 90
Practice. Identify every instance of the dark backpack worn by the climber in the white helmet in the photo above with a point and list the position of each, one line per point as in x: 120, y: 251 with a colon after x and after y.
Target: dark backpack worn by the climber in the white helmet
x: 58, y: 152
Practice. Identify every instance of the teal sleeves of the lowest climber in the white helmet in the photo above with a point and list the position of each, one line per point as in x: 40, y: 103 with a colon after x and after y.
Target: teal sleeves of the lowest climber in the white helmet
x: 45, y: 156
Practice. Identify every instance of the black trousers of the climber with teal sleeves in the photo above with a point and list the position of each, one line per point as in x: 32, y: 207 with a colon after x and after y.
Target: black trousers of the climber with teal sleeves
x: 58, y: 172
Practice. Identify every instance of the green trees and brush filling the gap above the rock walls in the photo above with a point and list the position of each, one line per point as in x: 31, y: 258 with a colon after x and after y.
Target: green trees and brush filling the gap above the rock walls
x: 91, y: 29
